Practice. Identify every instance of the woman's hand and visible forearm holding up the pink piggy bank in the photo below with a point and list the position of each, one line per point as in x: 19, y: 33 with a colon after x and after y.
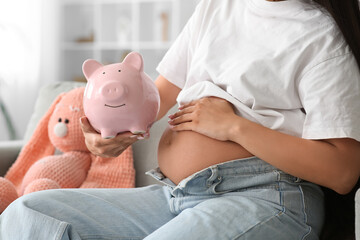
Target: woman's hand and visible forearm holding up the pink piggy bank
x: 115, y: 146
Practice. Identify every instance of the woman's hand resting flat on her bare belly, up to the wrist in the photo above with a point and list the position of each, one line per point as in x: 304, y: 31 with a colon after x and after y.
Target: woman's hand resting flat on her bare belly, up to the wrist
x: 211, y: 116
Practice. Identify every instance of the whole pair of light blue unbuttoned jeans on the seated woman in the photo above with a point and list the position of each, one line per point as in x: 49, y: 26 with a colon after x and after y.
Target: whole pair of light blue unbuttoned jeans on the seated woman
x: 240, y: 199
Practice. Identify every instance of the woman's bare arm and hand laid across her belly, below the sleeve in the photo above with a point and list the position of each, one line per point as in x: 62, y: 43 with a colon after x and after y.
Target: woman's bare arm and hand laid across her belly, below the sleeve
x: 333, y: 163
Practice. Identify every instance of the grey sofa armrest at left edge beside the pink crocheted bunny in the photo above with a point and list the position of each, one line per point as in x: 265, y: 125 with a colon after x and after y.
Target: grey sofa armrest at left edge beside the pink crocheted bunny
x: 9, y: 151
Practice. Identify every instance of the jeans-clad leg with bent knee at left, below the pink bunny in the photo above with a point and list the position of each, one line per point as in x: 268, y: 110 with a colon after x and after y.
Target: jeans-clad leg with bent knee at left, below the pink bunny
x: 87, y: 214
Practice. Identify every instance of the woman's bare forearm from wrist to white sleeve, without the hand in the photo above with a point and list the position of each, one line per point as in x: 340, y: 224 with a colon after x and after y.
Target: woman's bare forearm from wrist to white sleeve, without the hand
x: 334, y: 163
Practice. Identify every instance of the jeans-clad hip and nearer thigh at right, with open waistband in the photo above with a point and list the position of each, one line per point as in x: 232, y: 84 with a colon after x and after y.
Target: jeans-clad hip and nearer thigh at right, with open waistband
x: 246, y: 199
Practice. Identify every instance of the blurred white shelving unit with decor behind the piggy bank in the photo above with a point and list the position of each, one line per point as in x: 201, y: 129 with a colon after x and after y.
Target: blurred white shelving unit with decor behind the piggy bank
x: 106, y: 30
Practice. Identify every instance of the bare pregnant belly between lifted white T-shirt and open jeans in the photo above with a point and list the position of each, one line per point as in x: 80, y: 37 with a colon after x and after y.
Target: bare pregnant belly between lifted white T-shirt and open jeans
x: 181, y: 154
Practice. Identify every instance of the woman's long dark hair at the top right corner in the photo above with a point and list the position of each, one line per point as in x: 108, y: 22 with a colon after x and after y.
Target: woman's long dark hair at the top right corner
x: 346, y: 14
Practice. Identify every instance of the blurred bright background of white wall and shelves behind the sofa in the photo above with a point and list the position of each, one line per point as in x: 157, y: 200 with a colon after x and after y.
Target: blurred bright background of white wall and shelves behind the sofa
x: 43, y: 41
